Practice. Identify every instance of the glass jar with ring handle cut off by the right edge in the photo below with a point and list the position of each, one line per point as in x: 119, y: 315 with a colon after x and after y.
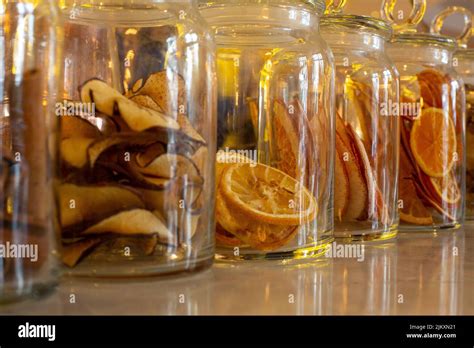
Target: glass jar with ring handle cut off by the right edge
x: 463, y: 62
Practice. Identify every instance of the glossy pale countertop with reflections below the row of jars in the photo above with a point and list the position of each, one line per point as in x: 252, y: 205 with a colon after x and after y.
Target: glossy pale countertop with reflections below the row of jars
x: 419, y: 273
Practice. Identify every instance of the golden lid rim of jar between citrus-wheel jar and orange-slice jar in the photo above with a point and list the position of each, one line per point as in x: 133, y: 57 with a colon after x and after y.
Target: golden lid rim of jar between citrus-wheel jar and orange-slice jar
x: 362, y: 23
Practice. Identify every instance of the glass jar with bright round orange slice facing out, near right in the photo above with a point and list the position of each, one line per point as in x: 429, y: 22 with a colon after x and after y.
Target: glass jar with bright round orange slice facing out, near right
x: 432, y: 152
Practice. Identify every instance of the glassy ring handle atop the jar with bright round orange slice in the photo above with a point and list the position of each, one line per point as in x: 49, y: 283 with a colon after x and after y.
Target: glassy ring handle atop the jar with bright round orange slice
x: 408, y: 25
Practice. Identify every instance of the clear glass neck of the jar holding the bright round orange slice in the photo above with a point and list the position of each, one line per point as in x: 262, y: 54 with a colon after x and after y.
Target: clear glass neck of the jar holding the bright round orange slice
x: 402, y: 52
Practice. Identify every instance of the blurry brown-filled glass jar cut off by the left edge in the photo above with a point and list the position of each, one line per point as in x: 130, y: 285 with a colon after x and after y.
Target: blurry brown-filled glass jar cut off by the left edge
x: 30, y: 41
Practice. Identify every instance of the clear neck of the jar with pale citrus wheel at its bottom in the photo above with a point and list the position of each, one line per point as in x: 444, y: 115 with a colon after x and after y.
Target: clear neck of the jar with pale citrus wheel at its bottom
x: 276, y: 16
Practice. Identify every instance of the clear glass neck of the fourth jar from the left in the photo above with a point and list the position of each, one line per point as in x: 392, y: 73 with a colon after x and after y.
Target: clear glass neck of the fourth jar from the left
x: 341, y: 41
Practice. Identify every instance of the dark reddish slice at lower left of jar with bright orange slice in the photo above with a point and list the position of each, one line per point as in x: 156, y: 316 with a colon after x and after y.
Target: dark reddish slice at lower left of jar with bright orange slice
x: 413, y: 210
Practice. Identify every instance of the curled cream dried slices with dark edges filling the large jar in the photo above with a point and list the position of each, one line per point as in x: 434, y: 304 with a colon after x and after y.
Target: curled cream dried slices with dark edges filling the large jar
x: 133, y: 174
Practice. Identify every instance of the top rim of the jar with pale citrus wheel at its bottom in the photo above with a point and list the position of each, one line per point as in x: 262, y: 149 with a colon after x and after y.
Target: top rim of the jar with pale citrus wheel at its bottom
x: 313, y: 5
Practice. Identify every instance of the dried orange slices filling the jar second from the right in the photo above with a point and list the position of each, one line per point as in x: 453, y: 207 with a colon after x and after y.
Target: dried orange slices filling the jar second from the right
x: 431, y: 173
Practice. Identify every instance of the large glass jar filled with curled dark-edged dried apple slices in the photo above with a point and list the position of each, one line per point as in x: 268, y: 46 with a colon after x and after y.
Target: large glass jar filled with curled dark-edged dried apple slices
x: 137, y: 138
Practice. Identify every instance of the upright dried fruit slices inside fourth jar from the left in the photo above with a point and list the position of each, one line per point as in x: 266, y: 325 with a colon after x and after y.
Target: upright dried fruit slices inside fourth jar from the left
x: 366, y: 156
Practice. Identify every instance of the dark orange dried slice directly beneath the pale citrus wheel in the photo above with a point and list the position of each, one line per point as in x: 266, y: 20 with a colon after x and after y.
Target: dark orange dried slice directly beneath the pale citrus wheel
x: 256, y: 234
